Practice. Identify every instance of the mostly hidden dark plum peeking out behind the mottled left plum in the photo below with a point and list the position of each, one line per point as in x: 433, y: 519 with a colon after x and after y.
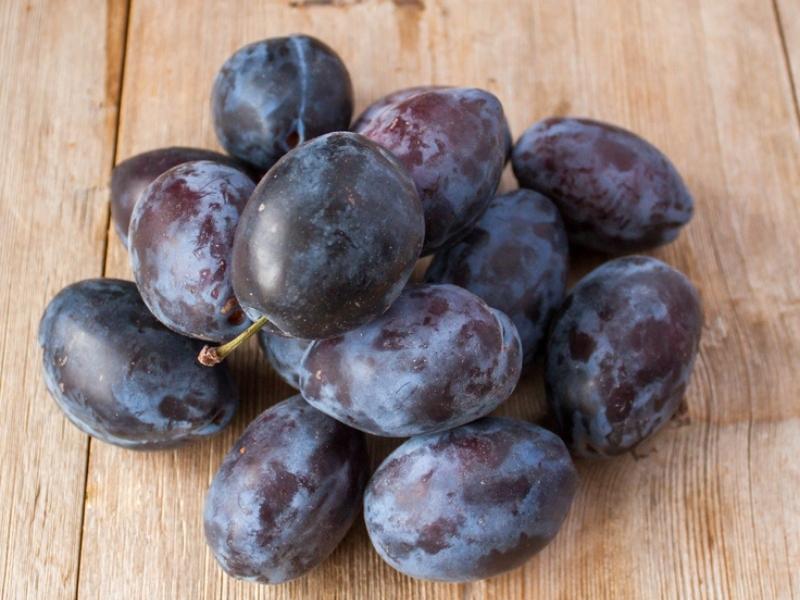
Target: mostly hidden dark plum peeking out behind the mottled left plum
x: 130, y: 178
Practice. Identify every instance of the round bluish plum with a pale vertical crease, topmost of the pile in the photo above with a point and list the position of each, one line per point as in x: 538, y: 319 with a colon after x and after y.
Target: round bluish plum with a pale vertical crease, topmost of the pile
x: 274, y: 94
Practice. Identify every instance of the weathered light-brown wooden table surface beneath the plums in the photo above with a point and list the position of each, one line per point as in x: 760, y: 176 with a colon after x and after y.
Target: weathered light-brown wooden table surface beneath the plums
x: 710, y: 508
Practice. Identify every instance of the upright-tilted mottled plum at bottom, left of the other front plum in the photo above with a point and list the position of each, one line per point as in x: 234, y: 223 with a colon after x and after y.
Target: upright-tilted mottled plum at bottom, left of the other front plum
x: 286, y: 493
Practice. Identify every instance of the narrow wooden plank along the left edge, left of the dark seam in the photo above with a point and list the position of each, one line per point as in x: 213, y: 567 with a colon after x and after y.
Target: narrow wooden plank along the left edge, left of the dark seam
x: 58, y: 106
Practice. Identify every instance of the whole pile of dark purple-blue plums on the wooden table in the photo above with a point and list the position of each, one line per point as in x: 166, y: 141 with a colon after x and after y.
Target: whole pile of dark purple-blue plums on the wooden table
x: 308, y: 232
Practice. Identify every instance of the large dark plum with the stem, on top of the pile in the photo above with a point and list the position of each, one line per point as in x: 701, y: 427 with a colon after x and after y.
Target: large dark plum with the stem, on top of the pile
x: 328, y: 239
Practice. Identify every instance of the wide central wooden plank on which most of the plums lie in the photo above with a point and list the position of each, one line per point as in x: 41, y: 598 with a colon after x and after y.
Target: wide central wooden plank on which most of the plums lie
x: 708, y: 511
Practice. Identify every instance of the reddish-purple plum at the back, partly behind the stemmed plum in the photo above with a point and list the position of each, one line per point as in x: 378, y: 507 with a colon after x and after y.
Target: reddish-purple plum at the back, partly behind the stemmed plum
x: 454, y: 142
